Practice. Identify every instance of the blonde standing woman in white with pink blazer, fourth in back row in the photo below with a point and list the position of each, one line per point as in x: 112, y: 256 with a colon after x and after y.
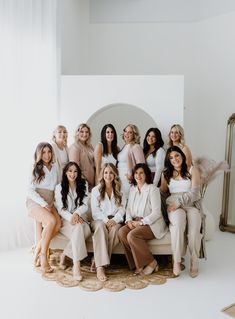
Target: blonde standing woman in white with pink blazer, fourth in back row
x: 130, y: 155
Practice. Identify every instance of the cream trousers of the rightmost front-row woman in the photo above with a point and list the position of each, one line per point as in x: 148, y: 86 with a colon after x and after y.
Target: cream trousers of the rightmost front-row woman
x: 179, y: 219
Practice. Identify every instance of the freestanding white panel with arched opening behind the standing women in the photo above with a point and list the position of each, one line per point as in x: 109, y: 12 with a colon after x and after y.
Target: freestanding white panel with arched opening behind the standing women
x: 142, y: 100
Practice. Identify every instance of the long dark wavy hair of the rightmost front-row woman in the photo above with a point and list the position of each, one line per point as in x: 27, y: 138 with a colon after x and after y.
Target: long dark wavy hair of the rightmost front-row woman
x: 169, y: 168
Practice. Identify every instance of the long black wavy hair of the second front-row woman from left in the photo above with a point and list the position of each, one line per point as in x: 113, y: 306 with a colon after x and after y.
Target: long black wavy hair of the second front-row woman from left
x: 80, y: 186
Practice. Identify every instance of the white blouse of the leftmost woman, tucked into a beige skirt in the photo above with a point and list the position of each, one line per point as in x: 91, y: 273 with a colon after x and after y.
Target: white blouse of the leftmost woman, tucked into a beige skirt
x: 49, y: 182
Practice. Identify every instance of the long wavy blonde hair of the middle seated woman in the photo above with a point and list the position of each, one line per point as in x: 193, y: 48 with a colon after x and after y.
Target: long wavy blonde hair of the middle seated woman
x: 116, y: 185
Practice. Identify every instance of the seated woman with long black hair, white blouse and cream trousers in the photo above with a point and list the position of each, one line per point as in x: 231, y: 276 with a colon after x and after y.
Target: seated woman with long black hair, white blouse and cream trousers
x: 71, y: 201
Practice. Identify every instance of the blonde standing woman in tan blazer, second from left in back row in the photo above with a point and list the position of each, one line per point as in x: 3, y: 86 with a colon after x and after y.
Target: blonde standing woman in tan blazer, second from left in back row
x: 82, y: 153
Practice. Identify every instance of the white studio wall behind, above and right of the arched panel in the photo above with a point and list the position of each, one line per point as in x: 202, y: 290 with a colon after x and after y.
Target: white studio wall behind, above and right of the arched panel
x: 202, y: 51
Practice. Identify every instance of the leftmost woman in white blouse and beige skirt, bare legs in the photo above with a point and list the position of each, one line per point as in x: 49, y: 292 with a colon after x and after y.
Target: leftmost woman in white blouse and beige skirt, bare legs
x: 40, y: 201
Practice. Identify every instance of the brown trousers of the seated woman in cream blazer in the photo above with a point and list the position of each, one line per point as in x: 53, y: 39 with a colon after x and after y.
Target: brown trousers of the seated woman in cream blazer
x: 135, y: 245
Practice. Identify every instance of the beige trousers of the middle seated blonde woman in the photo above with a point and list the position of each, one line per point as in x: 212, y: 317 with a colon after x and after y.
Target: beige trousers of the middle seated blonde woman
x: 103, y: 242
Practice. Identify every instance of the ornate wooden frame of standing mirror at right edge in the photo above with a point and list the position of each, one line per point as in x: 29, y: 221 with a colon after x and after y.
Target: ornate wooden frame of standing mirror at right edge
x: 223, y: 225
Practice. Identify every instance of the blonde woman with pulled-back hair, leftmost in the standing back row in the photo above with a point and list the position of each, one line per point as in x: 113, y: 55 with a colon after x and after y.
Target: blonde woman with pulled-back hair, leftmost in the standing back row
x: 60, y: 148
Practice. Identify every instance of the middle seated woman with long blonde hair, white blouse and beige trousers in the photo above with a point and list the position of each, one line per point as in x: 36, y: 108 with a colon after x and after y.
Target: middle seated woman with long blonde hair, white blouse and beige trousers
x: 107, y: 205
